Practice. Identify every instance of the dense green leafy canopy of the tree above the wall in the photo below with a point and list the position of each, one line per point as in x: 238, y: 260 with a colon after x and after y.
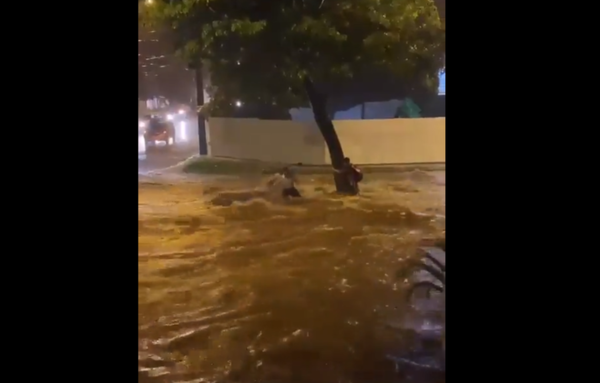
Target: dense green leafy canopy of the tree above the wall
x: 259, y: 51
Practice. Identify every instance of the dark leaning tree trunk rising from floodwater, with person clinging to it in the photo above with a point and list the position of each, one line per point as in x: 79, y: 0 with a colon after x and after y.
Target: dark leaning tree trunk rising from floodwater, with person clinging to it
x: 319, y: 107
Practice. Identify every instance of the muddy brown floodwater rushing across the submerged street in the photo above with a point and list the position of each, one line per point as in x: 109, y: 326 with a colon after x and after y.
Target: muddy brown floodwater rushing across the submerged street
x: 238, y: 286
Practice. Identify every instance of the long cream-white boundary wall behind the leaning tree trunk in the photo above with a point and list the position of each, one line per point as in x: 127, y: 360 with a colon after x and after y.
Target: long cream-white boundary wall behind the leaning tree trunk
x: 393, y: 141
